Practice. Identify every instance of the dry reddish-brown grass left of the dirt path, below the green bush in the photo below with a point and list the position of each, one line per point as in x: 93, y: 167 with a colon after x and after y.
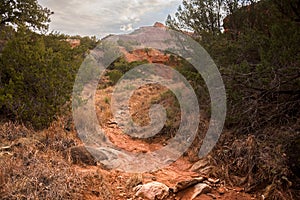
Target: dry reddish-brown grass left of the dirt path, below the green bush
x: 33, y: 167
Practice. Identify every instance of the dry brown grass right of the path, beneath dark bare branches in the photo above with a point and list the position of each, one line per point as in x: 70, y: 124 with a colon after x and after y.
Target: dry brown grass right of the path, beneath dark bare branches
x: 258, y: 163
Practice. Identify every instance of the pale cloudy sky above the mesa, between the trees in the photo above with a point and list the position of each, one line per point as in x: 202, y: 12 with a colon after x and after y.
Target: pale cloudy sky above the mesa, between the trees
x: 102, y: 17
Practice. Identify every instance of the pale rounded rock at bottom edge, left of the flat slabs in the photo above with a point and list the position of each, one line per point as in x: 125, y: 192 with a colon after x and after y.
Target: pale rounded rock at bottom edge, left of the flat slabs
x: 152, y: 191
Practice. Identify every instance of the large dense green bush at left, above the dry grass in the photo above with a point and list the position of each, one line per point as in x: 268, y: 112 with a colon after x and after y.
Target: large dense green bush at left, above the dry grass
x: 36, y: 76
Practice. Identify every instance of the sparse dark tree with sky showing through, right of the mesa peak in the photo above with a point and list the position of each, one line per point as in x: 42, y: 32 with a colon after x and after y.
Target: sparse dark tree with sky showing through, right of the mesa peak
x: 204, y: 16
